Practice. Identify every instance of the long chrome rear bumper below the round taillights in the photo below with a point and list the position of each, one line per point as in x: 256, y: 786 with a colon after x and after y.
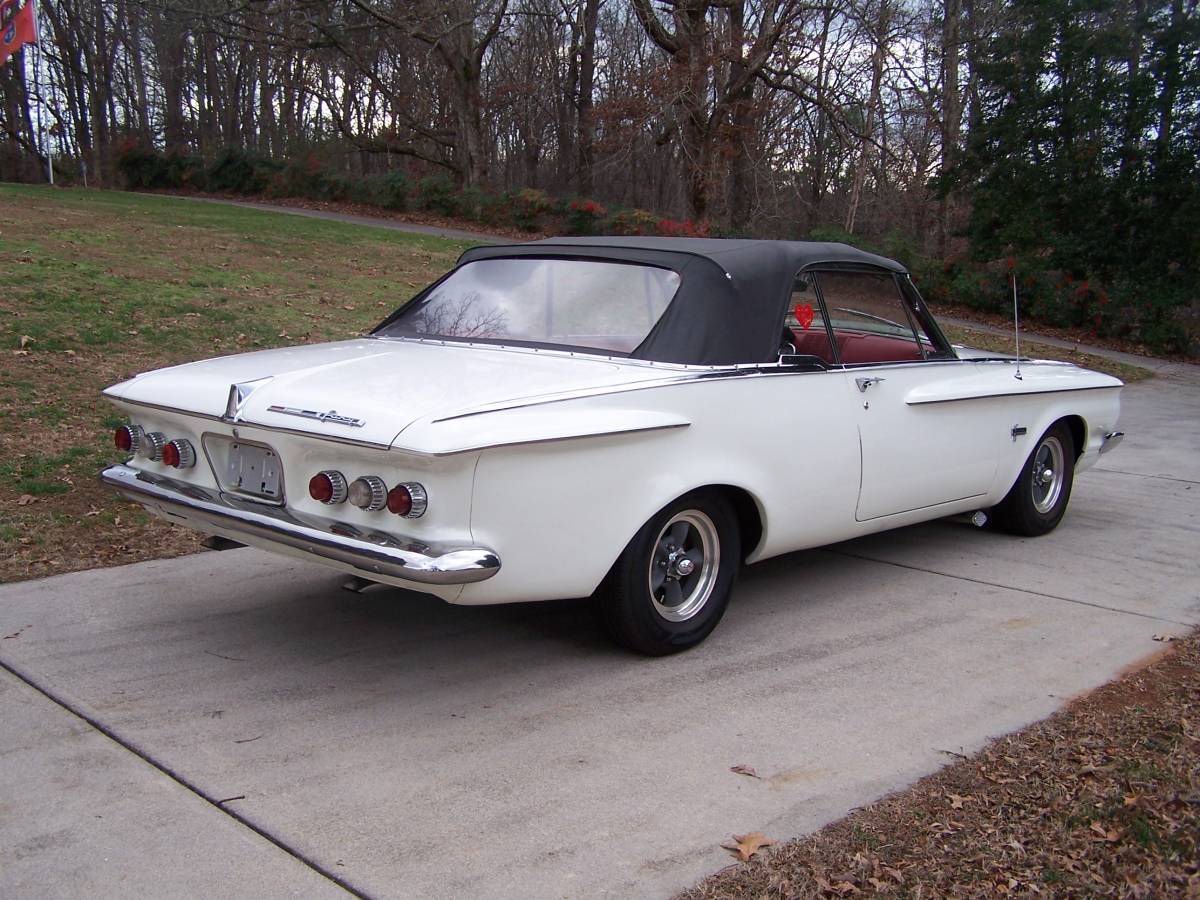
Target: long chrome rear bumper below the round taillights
x: 367, y: 550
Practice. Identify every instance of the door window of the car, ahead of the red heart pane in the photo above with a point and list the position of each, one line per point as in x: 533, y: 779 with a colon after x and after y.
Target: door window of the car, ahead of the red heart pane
x: 869, y: 320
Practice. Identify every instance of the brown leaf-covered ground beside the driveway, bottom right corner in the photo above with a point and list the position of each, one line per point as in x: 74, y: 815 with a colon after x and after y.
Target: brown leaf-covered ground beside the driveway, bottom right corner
x: 1101, y: 800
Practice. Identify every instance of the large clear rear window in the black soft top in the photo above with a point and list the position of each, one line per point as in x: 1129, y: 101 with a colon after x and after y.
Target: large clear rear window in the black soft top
x: 607, y: 307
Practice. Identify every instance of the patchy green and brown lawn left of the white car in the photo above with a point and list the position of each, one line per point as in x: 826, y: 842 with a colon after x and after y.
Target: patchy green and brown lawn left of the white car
x: 99, y: 286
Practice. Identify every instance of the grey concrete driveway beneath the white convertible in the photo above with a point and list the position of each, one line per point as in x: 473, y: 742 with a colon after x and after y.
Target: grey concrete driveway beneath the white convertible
x: 238, y: 725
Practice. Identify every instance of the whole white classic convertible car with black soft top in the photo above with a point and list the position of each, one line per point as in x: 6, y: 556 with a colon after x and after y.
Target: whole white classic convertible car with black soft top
x: 629, y: 419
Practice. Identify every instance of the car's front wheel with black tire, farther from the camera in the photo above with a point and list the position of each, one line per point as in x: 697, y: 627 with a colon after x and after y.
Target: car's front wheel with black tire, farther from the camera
x: 1037, y: 502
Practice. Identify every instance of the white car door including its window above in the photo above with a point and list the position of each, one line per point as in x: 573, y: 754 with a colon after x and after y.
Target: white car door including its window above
x: 914, y: 457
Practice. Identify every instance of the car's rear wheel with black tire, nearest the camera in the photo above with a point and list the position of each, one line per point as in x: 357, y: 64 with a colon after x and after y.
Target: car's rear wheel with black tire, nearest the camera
x: 658, y: 620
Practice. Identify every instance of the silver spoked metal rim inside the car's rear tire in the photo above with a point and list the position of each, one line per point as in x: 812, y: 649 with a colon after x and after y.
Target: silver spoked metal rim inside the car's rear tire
x: 685, y: 565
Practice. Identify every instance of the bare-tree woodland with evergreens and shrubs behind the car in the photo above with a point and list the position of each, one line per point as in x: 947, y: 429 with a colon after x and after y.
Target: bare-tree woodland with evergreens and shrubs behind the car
x: 973, y: 139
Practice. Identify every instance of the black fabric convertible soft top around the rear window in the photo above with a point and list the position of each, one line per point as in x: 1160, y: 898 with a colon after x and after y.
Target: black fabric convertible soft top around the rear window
x: 733, y: 293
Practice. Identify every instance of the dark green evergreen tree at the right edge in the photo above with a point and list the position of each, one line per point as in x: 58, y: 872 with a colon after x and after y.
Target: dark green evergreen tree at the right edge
x: 1084, y: 163
